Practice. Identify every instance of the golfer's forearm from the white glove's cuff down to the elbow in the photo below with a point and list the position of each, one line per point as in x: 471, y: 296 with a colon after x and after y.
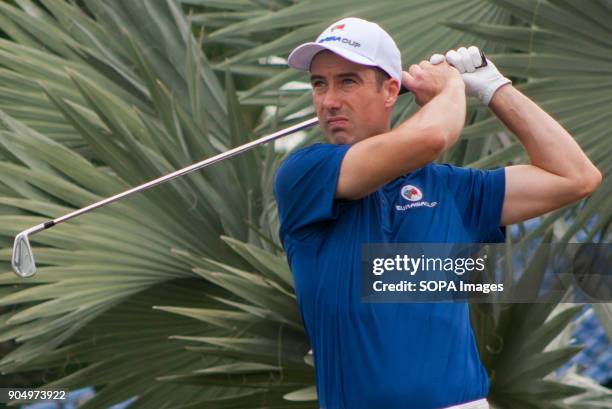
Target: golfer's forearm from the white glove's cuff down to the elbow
x: 548, y: 145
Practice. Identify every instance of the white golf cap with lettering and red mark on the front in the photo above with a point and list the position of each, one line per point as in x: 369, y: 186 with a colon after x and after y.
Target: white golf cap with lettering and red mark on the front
x: 357, y: 40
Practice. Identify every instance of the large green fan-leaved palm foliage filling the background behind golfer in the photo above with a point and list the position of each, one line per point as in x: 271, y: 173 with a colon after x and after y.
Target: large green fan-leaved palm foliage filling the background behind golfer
x: 182, y: 296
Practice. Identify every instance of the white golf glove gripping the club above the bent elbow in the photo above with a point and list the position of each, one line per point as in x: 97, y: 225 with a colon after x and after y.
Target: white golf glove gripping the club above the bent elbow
x: 479, y: 82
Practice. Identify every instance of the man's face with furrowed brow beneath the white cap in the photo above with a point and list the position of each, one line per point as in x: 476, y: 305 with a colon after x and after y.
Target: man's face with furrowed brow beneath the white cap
x: 349, y: 104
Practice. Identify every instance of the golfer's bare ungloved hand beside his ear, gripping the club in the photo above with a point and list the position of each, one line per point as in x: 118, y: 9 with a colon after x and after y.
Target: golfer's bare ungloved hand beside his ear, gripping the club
x: 427, y: 80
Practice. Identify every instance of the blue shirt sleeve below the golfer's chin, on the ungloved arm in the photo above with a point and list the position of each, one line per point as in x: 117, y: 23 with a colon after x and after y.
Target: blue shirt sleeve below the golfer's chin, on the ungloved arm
x: 305, y: 187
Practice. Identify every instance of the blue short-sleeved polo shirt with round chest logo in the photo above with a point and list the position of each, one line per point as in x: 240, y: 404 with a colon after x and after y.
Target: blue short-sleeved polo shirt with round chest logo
x: 385, y: 355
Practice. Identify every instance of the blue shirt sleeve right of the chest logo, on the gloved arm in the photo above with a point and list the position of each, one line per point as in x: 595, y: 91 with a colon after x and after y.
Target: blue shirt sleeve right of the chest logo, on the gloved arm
x: 479, y: 197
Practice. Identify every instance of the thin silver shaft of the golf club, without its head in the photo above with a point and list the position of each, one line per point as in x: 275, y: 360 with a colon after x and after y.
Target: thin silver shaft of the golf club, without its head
x: 202, y: 164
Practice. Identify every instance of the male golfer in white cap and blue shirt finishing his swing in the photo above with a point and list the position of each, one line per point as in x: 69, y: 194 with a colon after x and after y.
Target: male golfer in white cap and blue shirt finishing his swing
x: 334, y: 197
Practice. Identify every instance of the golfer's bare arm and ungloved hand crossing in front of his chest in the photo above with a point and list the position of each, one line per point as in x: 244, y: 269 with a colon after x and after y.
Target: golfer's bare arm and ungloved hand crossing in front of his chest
x: 374, y: 161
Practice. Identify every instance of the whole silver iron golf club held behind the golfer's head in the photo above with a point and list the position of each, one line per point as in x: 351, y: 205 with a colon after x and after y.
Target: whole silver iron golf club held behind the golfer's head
x: 22, y: 258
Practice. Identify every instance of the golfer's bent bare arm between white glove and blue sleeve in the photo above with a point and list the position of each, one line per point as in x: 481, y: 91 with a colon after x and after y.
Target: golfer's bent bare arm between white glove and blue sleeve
x: 559, y: 171
